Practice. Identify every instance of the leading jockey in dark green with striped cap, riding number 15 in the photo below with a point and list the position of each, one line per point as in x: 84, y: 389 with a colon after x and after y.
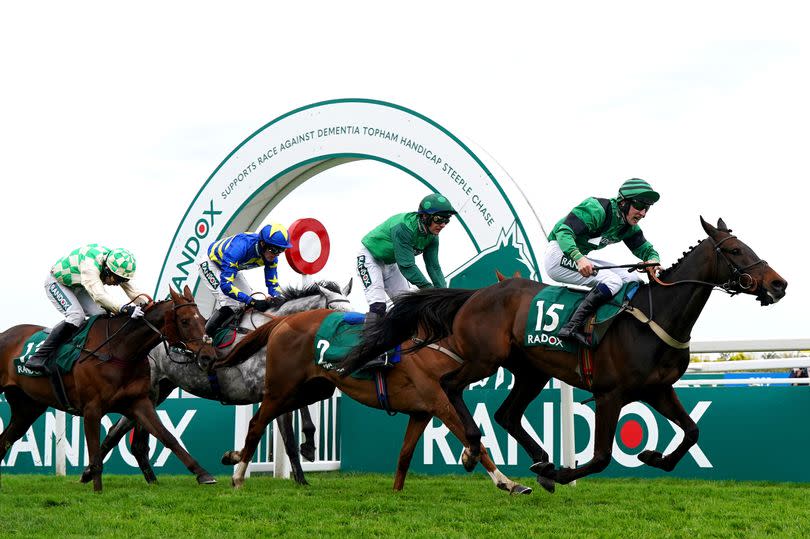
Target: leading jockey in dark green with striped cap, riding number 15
x: 593, y: 224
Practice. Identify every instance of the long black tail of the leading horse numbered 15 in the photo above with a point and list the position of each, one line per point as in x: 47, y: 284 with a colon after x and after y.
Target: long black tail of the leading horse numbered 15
x: 431, y: 311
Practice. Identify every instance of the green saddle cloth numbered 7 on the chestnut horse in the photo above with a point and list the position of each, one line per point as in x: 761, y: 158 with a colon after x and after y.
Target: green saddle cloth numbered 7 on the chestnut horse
x: 338, y: 334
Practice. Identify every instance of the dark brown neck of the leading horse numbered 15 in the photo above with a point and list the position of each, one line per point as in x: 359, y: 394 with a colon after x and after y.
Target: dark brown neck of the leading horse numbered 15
x: 677, y: 307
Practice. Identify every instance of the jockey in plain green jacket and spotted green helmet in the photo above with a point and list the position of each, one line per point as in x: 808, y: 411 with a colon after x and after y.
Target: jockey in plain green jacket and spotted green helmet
x: 386, y: 262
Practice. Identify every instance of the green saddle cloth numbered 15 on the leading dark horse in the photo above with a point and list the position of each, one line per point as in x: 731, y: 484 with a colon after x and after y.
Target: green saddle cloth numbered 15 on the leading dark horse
x: 554, y: 306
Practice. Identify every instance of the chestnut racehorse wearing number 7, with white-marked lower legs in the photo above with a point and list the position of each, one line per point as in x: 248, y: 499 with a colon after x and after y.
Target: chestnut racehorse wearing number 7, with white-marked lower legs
x: 294, y: 380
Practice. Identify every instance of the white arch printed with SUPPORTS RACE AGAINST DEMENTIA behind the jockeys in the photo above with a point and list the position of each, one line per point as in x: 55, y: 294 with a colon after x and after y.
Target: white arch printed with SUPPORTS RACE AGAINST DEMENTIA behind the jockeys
x: 296, y: 146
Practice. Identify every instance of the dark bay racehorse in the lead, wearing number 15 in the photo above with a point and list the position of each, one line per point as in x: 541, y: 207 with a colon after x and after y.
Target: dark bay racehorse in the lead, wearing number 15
x: 631, y: 362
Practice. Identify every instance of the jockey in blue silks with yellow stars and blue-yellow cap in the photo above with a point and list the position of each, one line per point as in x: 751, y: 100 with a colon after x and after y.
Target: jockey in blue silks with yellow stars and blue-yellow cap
x: 220, y: 264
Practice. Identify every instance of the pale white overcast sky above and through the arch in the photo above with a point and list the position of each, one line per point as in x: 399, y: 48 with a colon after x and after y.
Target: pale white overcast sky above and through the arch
x: 112, y: 119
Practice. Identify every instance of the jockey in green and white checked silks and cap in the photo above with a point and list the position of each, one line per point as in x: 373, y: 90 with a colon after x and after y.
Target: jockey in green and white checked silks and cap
x: 75, y: 286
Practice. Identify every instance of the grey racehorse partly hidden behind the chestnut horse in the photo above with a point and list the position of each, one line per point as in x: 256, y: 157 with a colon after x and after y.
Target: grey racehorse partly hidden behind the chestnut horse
x: 242, y: 384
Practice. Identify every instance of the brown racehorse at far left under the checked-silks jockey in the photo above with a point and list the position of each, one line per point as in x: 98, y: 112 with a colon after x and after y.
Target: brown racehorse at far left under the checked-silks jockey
x: 111, y: 376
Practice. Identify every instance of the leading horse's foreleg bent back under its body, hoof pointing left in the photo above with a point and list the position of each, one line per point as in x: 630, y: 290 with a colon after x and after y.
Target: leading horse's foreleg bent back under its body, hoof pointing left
x: 608, y: 407
